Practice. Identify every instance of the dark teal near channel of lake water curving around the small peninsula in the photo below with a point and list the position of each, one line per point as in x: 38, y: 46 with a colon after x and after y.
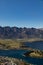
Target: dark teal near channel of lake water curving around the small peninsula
x: 19, y: 54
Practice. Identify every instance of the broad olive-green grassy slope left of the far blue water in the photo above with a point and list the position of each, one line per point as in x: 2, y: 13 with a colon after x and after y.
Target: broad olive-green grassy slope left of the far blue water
x: 9, y: 44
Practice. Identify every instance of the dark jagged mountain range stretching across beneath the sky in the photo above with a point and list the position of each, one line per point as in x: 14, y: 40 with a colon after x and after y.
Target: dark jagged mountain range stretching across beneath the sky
x: 20, y: 33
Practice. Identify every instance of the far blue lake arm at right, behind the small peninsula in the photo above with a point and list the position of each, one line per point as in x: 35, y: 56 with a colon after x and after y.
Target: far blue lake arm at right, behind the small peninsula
x: 35, y: 45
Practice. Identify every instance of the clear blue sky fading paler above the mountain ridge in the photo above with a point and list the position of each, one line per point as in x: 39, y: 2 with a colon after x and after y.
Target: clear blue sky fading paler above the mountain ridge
x: 21, y: 13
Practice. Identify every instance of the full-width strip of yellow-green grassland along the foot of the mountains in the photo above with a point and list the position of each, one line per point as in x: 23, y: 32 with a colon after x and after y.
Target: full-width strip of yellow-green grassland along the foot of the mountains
x: 12, y: 44
